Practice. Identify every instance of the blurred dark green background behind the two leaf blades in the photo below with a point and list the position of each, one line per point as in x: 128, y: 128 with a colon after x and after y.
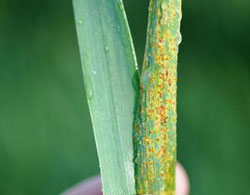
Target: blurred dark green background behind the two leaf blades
x: 46, y: 140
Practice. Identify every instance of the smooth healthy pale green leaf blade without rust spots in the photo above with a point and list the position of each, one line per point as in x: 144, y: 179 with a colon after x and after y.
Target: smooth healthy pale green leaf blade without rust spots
x: 109, y: 69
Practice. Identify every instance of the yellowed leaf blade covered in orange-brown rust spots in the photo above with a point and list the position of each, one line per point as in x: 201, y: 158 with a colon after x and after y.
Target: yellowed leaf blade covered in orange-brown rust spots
x: 155, y: 130
